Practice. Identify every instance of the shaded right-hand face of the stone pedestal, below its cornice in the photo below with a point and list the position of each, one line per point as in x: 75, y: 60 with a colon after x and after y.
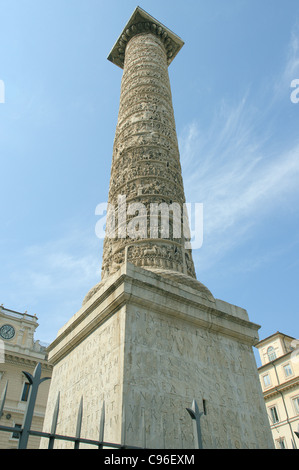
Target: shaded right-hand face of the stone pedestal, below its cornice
x: 171, y: 362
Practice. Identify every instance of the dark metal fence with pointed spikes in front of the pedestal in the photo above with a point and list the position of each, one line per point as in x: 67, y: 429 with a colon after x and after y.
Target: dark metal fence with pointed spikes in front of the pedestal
x: 25, y: 430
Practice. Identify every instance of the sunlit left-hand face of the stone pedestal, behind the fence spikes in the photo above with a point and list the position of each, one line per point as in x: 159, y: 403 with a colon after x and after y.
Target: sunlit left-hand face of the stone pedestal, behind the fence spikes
x: 94, y: 370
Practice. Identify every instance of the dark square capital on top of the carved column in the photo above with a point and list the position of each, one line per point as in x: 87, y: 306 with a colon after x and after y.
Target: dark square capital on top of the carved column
x: 141, y: 22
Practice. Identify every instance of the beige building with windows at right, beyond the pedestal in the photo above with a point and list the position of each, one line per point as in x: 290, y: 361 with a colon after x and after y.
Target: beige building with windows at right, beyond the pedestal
x: 279, y: 377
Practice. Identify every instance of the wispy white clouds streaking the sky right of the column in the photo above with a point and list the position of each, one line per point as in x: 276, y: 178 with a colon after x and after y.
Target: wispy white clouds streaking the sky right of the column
x: 241, y: 167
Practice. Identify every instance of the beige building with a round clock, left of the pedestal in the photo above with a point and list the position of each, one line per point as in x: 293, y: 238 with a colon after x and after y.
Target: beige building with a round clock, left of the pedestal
x: 20, y: 352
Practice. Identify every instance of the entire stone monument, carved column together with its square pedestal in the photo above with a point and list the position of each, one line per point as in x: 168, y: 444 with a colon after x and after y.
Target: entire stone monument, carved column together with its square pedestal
x: 147, y: 345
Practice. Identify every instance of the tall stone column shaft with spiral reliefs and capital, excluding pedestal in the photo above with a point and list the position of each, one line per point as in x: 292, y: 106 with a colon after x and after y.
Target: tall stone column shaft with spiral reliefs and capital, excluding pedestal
x: 146, y: 189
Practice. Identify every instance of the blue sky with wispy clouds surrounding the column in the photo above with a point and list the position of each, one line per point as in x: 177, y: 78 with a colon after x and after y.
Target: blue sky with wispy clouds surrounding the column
x: 238, y: 136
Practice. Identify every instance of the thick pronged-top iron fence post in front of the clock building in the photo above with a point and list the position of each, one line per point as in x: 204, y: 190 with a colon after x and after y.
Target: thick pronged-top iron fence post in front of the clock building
x: 35, y: 382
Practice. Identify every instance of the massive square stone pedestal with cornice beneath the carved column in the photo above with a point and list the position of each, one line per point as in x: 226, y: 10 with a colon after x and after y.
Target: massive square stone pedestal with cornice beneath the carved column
x: 149, y: 343
